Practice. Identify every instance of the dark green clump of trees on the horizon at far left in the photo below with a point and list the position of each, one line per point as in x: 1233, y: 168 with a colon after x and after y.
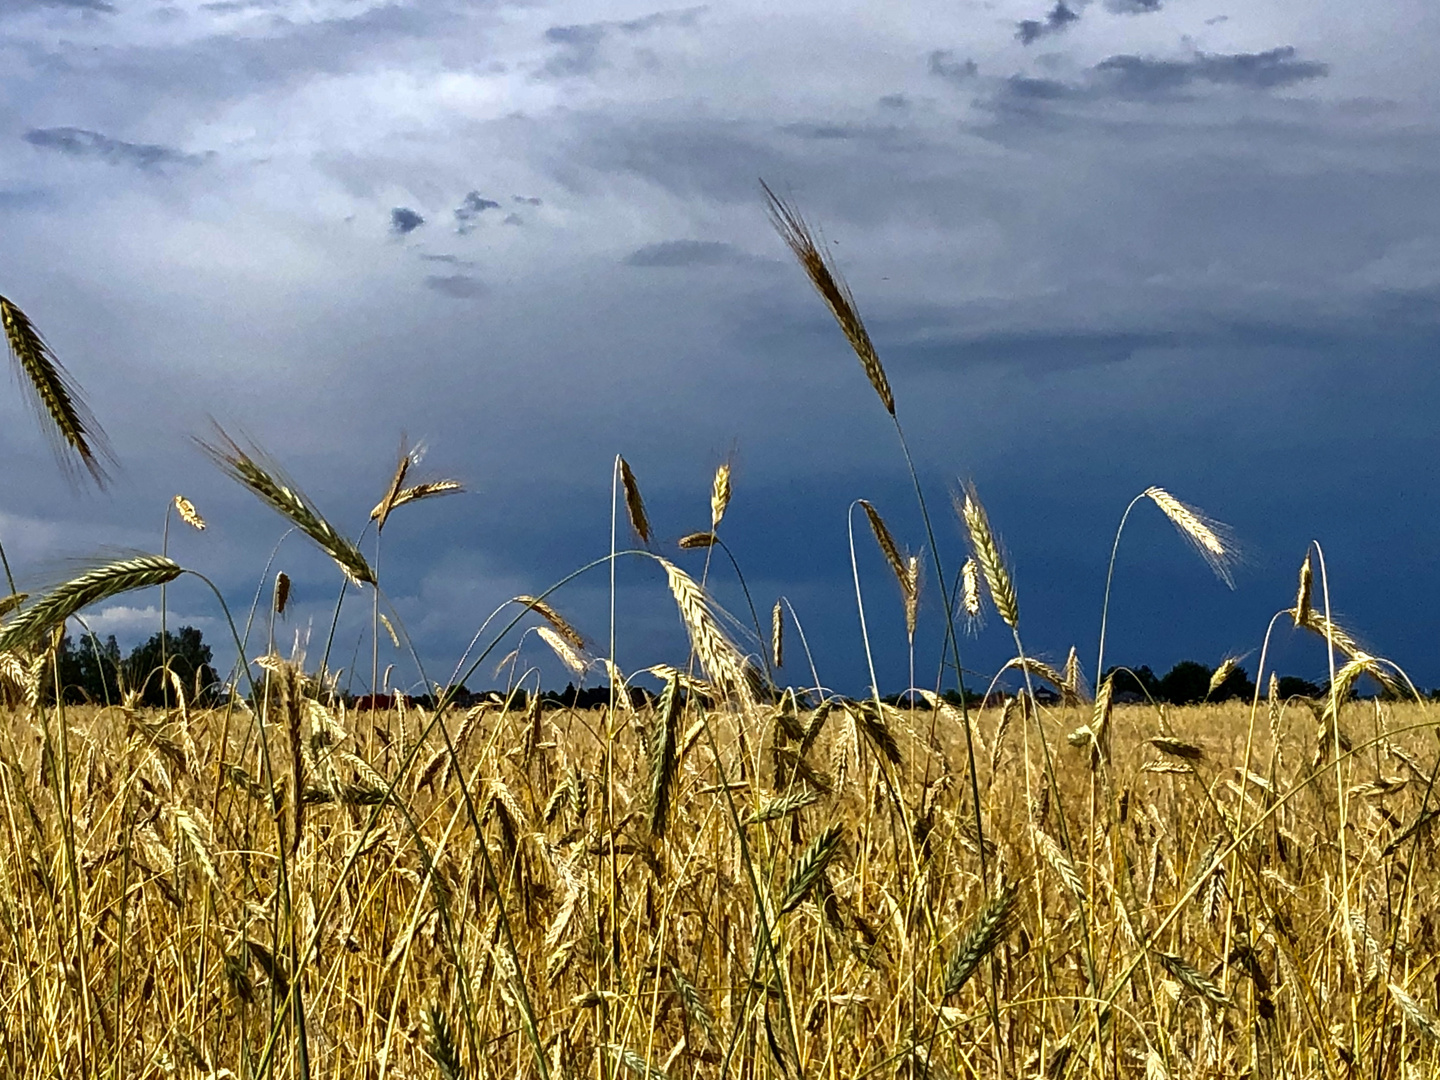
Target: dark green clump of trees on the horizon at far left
x: 93, y: 672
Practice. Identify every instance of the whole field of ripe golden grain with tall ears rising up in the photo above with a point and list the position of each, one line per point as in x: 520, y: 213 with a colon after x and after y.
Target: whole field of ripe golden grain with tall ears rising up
x: 748, y: 878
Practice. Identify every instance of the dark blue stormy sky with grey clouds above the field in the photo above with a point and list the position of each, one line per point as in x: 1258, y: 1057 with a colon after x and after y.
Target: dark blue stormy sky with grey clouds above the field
x: 1099, y: 247
